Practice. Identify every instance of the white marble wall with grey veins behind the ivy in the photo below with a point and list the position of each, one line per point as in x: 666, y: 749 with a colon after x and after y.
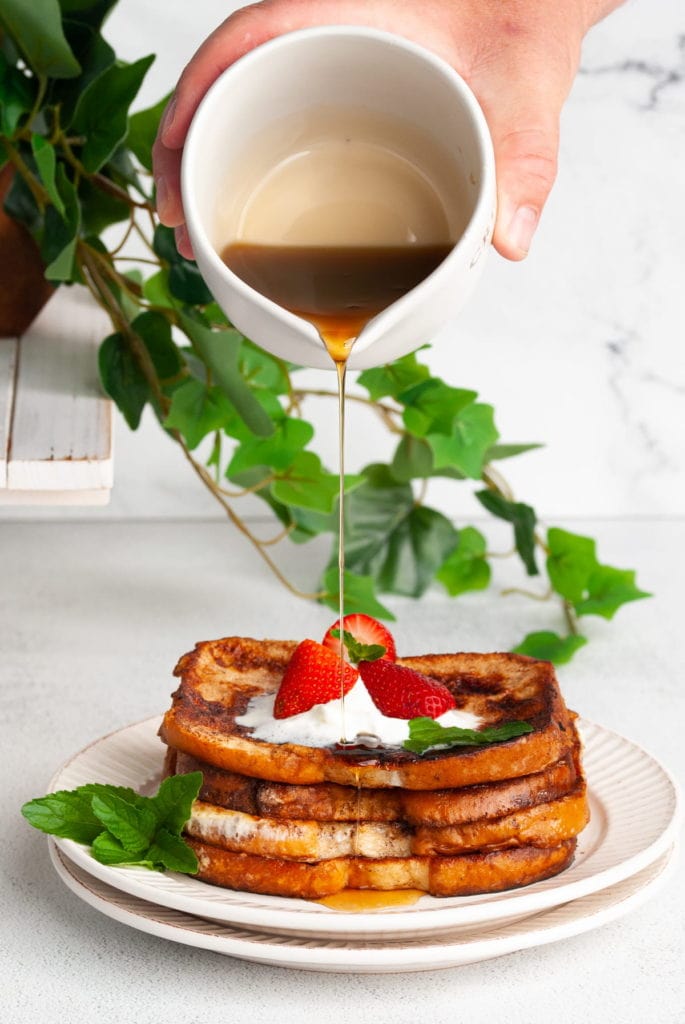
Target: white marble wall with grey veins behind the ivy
x: 582, y: 347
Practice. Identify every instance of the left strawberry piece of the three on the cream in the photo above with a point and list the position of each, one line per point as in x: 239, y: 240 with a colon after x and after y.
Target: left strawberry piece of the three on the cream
x: 313, y: 677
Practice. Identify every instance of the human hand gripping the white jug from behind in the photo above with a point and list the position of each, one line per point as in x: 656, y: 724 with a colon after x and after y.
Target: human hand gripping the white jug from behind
x: 519, y: 57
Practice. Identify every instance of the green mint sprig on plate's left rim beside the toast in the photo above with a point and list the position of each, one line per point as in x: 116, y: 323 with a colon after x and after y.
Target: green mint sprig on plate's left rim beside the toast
x: 120, y: 826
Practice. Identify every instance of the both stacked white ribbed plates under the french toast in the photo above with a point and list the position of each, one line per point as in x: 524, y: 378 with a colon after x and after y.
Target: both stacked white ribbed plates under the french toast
x: 623, y: 856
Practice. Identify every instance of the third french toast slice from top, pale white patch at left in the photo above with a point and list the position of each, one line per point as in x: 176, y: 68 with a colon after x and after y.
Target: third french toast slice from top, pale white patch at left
x: 545, y: 826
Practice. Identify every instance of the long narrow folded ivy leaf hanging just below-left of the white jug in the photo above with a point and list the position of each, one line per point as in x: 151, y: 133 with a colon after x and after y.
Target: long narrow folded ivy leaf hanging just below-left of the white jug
x: 220, y: 352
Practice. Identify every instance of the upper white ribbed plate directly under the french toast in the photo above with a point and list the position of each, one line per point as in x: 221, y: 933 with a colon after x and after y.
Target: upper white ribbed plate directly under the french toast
x: 634, y: 818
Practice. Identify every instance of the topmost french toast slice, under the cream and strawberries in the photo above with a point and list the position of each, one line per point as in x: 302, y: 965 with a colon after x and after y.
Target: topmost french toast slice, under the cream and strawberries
x: 220, y: 678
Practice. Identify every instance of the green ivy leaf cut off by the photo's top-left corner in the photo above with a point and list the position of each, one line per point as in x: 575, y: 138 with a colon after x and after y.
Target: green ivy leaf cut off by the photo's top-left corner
x: 36, y: 28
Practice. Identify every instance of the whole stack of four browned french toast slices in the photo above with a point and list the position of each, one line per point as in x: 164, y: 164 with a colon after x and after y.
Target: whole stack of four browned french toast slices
x: 303, y: 821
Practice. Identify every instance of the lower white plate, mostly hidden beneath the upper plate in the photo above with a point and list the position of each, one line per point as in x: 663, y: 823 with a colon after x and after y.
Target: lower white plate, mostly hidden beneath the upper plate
x: 452, y: 949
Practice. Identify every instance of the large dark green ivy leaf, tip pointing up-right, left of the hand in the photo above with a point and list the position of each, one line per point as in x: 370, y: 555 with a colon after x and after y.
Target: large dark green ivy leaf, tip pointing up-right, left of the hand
x: 102, y: 113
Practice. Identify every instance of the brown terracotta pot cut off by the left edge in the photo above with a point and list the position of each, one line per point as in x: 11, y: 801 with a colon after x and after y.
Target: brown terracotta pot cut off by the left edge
x: 24, y: 290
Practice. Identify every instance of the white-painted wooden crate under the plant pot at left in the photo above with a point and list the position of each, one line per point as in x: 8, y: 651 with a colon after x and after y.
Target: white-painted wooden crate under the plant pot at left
x: 56, y: 424
